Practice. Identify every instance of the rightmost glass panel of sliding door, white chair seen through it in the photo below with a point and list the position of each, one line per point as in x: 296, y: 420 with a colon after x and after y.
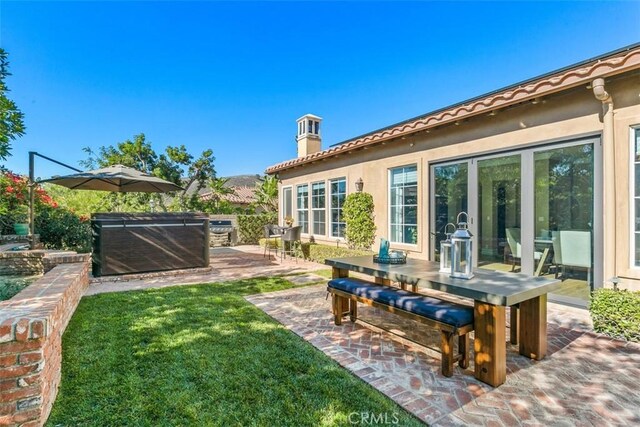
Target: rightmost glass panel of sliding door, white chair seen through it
x: 564, y: 213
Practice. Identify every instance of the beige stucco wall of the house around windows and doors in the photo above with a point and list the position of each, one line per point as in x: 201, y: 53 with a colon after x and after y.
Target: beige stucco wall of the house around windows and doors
x: 564, y: 115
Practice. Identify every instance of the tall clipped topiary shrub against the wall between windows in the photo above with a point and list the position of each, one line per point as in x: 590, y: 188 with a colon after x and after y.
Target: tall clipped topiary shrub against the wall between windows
x: 358, y: 215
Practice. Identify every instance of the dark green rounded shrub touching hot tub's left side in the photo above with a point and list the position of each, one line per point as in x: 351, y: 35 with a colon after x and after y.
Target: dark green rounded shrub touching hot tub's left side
x: 60, y: 228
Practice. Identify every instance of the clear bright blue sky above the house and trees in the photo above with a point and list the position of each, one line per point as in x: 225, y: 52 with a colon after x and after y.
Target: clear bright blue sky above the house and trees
x: 234, y: 77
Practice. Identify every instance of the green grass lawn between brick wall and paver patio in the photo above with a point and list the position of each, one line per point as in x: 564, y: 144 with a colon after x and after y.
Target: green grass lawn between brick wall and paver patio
x: 201, y: 355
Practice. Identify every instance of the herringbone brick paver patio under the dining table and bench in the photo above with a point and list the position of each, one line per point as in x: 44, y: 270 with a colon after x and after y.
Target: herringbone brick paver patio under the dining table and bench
x: 585, y: 380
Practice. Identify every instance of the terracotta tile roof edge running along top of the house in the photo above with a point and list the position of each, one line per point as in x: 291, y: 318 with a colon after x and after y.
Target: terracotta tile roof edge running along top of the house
x: 583, y: 73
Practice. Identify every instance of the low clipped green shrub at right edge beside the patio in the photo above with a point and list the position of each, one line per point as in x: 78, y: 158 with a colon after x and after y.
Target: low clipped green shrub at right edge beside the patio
x: 616, y: 313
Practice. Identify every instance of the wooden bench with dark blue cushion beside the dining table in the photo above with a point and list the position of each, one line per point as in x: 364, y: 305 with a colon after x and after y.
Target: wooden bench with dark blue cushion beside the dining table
x: 451, y: 319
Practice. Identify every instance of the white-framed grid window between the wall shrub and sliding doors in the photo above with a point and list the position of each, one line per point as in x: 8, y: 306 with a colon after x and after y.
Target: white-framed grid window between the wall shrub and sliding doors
x: 403, y: 204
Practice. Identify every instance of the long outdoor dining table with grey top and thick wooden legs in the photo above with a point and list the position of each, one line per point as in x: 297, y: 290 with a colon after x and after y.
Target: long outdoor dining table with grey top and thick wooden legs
x: 491, y: 291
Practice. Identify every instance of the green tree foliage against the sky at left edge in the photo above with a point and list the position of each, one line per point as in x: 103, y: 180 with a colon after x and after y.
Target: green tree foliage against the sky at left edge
x: 11, y: 118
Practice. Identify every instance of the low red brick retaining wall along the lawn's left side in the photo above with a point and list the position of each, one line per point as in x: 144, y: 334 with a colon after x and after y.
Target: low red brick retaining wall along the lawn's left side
x: 31, y: 328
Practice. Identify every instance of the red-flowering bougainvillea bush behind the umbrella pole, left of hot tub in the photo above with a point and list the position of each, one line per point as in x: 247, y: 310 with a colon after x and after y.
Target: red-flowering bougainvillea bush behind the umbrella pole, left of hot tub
x: 59, y: 228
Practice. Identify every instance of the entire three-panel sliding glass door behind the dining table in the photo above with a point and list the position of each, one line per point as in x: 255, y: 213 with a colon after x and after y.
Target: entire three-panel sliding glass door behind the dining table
x: 532, y: 211
